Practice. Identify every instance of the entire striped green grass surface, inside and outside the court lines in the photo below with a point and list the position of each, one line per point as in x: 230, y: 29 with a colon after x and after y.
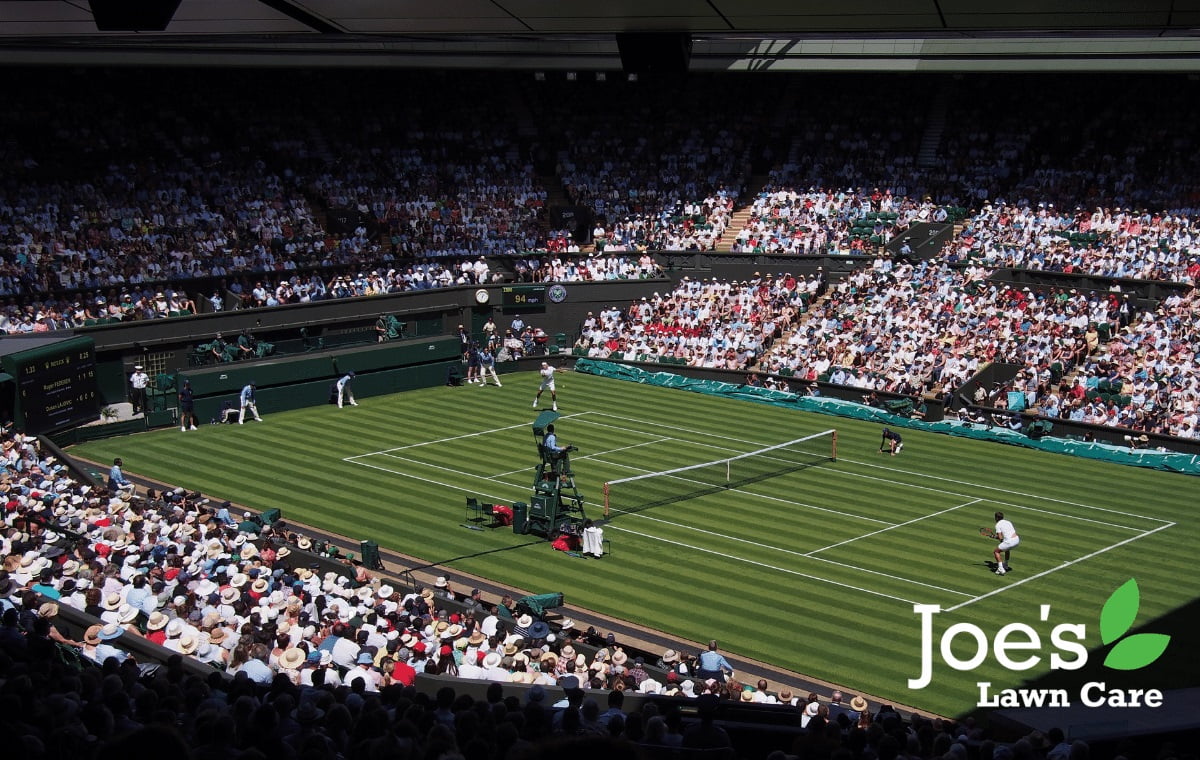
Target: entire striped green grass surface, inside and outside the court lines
x: 817, y: 570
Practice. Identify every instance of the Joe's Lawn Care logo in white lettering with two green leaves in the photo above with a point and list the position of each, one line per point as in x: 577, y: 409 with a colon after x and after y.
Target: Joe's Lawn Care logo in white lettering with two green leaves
x: 1018, y: 647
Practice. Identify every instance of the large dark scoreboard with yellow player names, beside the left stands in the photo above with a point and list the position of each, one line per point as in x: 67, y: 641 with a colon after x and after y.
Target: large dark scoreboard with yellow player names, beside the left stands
x: 56, y: 385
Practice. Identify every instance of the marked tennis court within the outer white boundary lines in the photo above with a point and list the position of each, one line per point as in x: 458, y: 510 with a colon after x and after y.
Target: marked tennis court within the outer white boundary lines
x: 857, y: 544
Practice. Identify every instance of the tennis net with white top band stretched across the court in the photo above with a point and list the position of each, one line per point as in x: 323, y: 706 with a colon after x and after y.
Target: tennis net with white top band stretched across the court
x: 668, y: 487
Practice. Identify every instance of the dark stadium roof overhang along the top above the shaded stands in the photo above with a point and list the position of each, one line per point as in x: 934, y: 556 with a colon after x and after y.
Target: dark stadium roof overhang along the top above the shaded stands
x: 749, y: 35
